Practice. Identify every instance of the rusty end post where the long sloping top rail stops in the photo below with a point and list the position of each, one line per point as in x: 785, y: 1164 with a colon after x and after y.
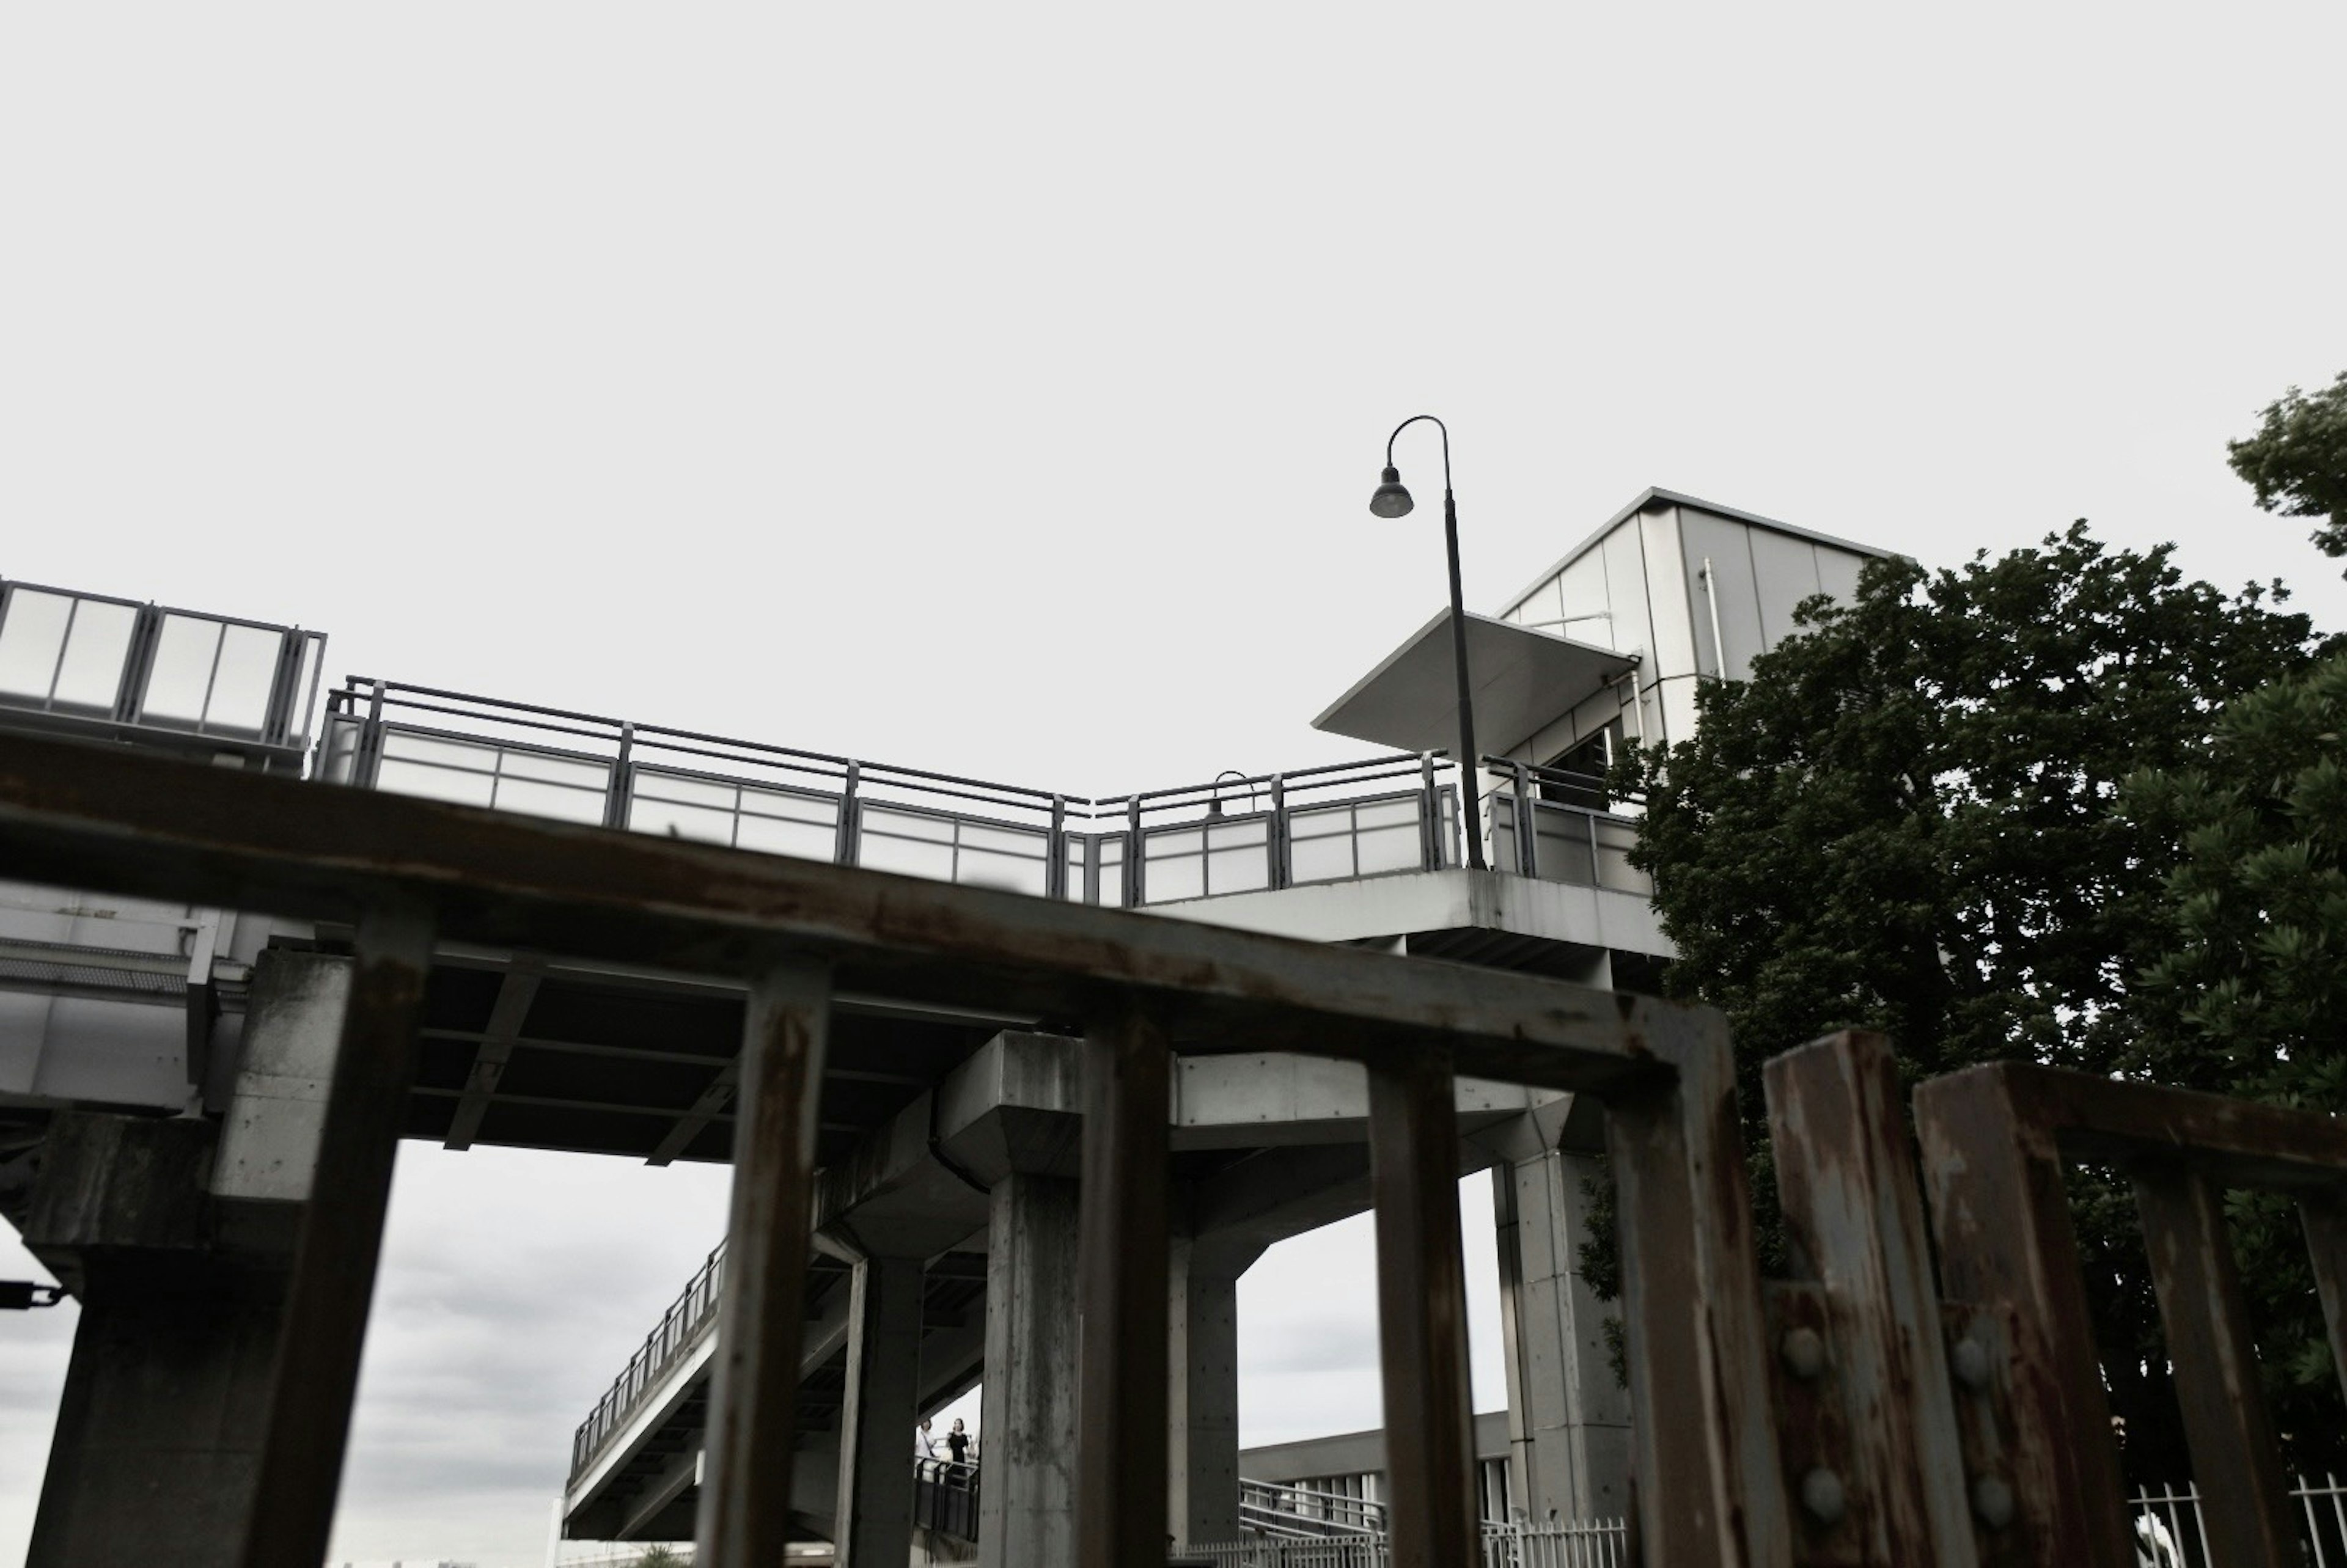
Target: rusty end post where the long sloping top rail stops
x: 1703, y: 1442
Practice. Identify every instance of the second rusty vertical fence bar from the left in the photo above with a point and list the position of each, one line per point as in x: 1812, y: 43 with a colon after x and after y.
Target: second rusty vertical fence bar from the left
x: 745, y: 1510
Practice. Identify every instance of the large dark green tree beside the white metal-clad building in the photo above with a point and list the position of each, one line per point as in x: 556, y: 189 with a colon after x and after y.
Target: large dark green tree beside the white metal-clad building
x: 1907, y: 820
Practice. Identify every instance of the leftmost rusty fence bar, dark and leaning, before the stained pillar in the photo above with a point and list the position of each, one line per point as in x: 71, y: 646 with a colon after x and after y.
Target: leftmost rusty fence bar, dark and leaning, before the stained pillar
x: 341, y: 1241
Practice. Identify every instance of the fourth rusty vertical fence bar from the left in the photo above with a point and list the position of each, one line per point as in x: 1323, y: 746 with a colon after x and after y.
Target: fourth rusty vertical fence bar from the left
x: 1414, y: 1172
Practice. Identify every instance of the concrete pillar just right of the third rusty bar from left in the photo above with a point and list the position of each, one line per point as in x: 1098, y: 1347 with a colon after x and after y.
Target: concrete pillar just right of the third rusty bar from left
x: 1203, y: 1403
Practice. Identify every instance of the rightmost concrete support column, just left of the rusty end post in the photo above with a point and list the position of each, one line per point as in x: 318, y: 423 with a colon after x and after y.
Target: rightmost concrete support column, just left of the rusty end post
x: 1567, y: 1412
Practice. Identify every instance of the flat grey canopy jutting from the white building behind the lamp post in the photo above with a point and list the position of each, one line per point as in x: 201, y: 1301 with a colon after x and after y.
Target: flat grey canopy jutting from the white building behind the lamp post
x: 1522, y: 682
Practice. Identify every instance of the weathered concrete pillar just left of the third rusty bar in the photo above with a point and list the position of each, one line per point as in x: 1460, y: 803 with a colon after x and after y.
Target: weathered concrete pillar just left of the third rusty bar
x: 1027, y: 1485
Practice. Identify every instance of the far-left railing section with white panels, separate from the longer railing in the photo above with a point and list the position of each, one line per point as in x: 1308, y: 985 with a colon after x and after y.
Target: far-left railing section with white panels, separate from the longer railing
x: 151, y: 673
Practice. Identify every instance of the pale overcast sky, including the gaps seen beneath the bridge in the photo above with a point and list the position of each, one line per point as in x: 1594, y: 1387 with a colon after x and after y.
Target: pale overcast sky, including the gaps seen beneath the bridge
x: 999, y: 391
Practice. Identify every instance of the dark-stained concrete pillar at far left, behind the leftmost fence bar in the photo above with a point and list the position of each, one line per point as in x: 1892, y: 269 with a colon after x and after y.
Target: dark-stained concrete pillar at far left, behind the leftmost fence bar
x: 177, y: 1241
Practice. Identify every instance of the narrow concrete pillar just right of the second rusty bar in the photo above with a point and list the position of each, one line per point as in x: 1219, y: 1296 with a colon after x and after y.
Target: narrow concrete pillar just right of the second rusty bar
x: 874, y: 1520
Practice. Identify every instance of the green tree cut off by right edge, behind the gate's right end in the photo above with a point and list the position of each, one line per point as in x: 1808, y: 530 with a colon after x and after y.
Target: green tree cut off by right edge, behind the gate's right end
x: 2252, y: 992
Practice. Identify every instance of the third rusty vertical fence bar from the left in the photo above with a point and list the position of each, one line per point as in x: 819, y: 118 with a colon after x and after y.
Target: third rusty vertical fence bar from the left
x: 1121, y: 1435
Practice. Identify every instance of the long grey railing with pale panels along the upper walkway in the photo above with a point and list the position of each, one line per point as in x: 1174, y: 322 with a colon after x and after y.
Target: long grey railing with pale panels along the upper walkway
x: 1196, y: 842
